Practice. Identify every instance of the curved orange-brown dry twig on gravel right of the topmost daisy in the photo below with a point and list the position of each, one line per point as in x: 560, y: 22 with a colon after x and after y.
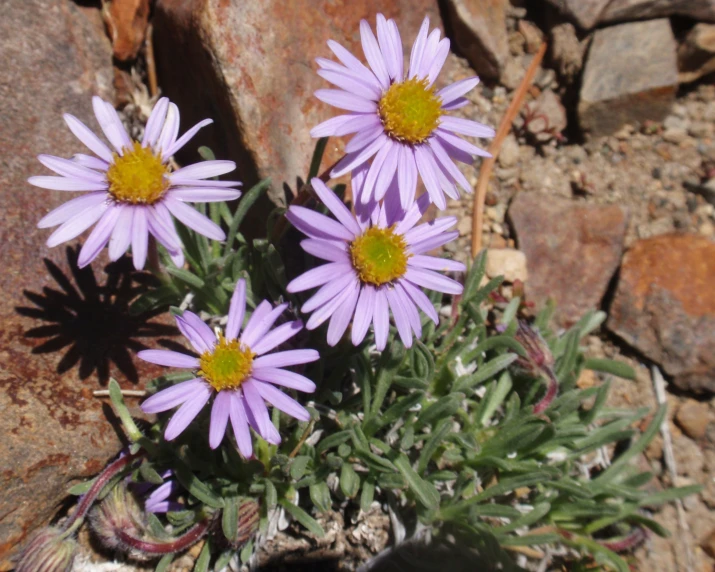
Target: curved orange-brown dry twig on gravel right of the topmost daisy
x: 488, y: 164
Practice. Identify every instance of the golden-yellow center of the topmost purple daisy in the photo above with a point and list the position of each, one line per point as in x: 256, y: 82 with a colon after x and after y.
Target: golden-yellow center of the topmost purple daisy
x: 410, y: 110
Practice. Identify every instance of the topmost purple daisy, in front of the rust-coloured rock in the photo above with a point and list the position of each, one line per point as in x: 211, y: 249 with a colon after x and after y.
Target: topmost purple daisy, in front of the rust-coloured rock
x: 398, y: 117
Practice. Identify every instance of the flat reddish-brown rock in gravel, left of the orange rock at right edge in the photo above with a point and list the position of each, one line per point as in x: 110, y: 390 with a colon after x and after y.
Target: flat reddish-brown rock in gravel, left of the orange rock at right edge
x: 572, y: 249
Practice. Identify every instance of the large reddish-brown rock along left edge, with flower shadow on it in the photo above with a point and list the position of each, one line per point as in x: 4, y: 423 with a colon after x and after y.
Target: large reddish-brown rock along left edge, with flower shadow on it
x: 55, y: 55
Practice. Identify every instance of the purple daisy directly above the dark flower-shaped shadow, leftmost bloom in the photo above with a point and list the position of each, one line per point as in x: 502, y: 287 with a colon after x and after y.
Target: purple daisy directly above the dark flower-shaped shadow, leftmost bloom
x: 132, y: 190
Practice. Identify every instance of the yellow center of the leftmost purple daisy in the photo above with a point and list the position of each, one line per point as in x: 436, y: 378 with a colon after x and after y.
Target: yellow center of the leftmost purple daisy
x: 138, y: 176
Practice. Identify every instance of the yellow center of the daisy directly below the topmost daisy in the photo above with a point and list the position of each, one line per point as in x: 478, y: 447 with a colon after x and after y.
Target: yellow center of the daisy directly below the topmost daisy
x: 379, y: 256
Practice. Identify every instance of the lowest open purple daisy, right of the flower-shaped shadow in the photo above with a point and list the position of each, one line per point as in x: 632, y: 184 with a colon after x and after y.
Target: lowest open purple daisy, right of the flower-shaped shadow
x: 237, y: 370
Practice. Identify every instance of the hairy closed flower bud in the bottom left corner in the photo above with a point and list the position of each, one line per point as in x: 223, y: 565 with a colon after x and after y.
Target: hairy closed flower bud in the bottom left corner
x: 47, y: 551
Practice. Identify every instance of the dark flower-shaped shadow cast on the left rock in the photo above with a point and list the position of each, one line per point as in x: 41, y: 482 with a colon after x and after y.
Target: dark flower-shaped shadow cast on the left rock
x: 92, y: 322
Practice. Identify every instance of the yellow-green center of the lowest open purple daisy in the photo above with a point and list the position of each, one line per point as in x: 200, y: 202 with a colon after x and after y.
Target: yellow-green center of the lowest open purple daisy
x: 227, y: 366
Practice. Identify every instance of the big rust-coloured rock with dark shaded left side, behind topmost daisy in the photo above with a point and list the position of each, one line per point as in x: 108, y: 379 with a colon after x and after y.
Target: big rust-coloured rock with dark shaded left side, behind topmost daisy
x: 251, y: 68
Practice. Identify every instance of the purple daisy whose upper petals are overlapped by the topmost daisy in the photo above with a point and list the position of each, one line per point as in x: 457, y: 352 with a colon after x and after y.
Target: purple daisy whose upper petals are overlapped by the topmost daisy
x: 375, y: 266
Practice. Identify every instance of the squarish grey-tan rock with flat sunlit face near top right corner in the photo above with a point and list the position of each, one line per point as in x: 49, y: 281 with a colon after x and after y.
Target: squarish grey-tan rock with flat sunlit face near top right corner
x: 631, y: 75
